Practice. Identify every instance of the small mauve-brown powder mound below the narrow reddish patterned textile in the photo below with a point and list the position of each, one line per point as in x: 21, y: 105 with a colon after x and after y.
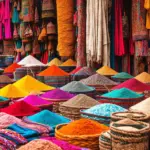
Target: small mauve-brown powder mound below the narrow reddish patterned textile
x: 85, y: 71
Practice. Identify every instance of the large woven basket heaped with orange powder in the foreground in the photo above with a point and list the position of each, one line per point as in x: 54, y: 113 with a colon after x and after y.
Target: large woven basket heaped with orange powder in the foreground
x: 82, y: 132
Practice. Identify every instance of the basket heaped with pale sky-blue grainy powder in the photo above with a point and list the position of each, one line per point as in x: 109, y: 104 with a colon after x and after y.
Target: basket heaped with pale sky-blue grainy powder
x: 102, y: 113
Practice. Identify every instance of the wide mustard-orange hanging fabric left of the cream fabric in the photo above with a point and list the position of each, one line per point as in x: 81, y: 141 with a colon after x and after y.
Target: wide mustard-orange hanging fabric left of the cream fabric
x: 66, y: 34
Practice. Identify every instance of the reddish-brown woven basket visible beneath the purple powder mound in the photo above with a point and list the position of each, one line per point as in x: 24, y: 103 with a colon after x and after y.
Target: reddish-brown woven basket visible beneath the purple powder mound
x: 56, y: 103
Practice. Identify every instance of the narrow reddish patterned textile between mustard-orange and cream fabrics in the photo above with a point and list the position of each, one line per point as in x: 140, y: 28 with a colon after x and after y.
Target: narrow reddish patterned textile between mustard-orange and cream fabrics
x: 81, y: 41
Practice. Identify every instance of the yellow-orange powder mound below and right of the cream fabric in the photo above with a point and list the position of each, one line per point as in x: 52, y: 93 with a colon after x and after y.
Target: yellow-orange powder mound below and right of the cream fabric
x: 106, y: 71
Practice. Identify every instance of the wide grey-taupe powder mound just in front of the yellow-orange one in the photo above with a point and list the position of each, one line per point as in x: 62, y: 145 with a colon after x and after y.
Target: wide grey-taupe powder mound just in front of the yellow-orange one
x: 98, y: 79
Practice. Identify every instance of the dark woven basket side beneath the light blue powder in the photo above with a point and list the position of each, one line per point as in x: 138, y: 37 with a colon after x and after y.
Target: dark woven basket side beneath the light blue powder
x: 100, y: 119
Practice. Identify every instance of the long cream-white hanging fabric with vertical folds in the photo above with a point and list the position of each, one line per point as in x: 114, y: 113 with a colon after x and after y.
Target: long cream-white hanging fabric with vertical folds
x: 97, y: 34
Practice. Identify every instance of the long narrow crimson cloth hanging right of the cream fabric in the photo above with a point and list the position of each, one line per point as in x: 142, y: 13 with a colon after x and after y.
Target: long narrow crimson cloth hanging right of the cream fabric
x: 119, y: 42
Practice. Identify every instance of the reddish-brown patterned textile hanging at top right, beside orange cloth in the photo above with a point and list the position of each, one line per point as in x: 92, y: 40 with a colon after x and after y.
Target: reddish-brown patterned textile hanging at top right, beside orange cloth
x: 139, y: 31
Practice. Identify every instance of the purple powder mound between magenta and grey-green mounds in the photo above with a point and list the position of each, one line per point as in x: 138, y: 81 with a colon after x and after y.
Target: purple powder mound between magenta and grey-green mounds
x: 57, y: 94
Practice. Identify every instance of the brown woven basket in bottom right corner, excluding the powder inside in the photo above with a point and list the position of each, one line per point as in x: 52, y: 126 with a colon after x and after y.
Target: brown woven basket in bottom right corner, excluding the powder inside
x: 130, y: 140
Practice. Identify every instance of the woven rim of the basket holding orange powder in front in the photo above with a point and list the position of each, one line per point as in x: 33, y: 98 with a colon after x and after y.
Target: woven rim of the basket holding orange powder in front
x: 73, y: 136
